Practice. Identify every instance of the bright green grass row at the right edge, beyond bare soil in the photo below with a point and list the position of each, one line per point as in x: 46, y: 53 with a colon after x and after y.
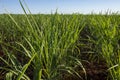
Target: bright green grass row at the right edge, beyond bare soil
x: 105, y: 32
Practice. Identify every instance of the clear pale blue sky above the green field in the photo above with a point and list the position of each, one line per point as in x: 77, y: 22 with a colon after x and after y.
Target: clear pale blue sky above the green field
x: 62, y: 6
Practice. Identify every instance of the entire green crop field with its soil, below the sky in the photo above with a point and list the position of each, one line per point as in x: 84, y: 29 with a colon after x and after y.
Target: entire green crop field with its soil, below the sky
x: 60, y: 47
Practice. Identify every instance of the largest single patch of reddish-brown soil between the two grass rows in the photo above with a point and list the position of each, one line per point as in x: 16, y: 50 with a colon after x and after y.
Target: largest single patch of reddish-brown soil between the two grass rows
x: 96, y: 71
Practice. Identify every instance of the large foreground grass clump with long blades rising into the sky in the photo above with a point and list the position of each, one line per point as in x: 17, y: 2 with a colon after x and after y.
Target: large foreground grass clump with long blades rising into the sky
x: 44, y: 47
